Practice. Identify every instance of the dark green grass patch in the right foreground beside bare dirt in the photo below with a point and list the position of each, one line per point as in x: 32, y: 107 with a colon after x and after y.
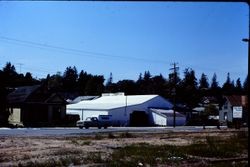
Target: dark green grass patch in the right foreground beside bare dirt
x: 213, y: 147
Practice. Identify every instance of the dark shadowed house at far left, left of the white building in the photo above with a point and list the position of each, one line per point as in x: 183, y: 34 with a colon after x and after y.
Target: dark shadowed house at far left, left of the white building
x: 35, y: 106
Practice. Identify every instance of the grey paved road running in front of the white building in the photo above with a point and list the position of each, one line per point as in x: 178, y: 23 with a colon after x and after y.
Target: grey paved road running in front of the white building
x: 76, y: 131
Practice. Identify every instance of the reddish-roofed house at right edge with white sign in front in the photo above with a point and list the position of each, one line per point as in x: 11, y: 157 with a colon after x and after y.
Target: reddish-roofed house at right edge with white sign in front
x: 234, y: 107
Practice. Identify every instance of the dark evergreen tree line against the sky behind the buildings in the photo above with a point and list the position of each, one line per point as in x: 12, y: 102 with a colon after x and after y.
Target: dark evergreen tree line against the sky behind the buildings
x: 187, y: 90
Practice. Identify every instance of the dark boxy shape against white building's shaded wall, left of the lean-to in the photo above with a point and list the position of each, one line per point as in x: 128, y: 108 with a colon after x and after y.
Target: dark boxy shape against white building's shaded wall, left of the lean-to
x: 139, y: 118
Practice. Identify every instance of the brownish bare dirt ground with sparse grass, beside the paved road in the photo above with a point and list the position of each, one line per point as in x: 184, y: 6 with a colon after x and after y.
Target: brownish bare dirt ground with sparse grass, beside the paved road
x: 88, y: 150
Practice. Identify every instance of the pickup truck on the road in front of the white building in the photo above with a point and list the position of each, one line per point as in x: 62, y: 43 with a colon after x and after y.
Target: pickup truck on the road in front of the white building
x: 100, y: 121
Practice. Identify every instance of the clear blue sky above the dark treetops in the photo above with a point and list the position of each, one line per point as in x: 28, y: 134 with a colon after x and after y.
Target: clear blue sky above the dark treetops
x: 125, y: 38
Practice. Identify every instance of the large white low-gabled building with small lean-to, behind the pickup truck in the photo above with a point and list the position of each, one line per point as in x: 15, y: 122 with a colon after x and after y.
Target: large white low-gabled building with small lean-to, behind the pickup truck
x: 131, y: 110
